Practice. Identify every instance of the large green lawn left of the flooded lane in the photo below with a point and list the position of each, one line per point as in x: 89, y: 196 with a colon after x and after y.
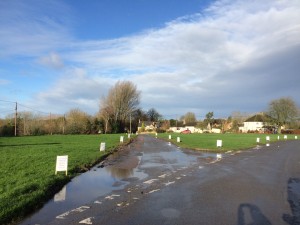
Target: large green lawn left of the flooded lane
x: 27, y: 166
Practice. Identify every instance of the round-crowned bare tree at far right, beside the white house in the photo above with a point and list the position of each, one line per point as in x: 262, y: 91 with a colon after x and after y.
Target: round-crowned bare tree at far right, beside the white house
x: 283, y: 111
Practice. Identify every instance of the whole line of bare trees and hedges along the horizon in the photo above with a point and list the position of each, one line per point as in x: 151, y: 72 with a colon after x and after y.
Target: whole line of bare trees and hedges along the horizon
x: 119, y: 112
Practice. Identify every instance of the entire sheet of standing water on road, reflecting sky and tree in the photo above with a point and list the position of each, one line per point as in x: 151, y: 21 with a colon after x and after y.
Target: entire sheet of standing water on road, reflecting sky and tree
x: 133, y: 163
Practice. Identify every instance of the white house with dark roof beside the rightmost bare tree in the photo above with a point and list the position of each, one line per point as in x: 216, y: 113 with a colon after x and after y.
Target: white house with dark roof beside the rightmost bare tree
x: 258, y: 123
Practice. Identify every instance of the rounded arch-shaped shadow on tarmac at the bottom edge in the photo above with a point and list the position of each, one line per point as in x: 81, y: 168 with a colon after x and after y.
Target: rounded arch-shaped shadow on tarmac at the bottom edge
x: 249, y: 214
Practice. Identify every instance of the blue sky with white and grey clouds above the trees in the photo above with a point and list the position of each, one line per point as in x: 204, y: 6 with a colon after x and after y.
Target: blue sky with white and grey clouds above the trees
x: 195, y: 56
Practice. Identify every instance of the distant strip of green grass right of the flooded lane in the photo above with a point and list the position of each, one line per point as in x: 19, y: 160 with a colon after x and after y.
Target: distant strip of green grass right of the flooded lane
x: 229, y: 141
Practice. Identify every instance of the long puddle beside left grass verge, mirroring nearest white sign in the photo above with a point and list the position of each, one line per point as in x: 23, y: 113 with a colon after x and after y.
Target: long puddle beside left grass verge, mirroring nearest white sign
x: 88, y: 186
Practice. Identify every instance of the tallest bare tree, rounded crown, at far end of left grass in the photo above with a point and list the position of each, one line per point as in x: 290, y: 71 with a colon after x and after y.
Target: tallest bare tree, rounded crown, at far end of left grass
x: 120, y: 103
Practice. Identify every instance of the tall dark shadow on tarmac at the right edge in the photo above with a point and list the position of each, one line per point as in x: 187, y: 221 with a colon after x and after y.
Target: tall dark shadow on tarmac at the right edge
x: 294, y: 201
